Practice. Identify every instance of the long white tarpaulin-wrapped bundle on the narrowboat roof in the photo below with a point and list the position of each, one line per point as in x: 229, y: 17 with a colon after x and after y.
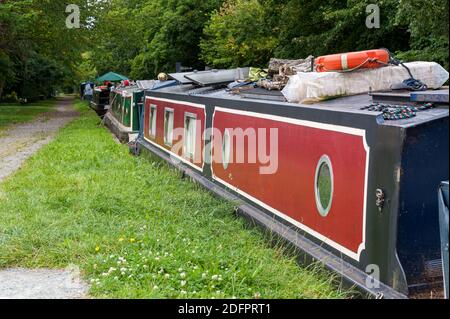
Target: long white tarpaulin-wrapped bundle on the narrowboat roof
x: 313, y: 87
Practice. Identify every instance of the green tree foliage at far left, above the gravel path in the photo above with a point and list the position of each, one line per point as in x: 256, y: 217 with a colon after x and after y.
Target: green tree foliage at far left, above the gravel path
x: 38, y: 53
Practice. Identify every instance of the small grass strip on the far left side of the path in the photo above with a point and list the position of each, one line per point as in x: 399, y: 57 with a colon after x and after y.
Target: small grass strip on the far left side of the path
x: 15, y: 113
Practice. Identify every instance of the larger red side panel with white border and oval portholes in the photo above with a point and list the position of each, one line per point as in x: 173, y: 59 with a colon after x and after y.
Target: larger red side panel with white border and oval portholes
x: 290, y: 189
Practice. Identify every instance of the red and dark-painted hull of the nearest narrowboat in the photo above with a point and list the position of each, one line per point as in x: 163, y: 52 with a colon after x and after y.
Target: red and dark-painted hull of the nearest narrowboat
x: 382, y: 221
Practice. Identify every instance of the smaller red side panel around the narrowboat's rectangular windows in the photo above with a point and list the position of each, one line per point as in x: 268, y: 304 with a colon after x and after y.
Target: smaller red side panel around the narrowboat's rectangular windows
x: 180, y: 110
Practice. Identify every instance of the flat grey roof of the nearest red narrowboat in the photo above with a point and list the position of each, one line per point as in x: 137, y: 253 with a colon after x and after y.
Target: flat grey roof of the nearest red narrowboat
x: 354, y: 104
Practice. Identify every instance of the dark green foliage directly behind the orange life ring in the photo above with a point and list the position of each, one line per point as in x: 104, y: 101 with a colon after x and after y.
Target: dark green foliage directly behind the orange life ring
x: 325, y: 27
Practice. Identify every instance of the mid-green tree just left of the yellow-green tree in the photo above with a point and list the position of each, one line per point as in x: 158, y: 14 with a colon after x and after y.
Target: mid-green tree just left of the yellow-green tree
x: 172, y: 31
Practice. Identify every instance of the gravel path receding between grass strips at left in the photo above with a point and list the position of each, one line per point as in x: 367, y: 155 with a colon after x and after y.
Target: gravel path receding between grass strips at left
x: 21, y: 141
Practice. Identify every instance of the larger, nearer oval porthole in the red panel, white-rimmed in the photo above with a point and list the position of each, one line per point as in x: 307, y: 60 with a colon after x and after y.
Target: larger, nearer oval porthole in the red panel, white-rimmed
x: 323, y: 185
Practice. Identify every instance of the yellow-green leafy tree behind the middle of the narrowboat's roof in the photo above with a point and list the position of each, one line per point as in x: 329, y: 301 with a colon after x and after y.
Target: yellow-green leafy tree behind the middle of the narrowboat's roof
x: 240, y: 34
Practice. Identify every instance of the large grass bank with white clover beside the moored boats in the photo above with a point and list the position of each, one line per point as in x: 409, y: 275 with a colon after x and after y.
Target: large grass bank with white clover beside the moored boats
x: 136, y: 229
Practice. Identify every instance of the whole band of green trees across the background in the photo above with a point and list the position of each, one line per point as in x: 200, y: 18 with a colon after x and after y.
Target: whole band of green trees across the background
x: 140, y: 38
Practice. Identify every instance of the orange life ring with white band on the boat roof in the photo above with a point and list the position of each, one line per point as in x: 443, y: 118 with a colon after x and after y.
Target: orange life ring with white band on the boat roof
x: 351, y: 61
